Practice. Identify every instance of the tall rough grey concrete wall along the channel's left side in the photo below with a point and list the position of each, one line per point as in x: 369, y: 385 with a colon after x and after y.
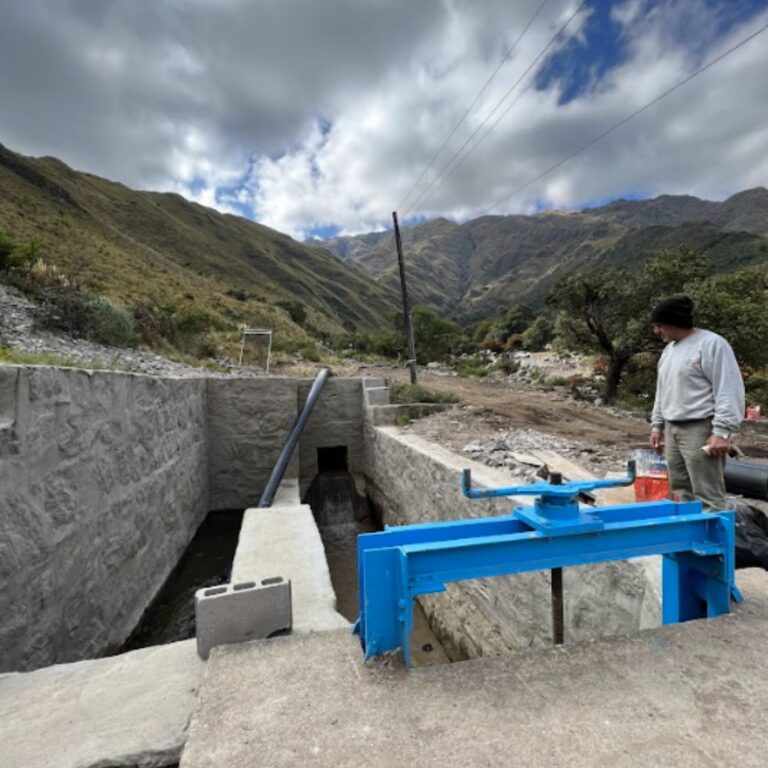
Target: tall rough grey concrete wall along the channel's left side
x: 103, y: 482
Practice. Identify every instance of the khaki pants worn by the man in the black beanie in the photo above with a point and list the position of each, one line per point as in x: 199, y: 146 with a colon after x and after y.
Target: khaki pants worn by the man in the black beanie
x: 692, y: 474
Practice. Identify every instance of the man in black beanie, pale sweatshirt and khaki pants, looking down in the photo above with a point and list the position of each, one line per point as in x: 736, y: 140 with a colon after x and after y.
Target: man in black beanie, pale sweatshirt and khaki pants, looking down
x: 699, y: 403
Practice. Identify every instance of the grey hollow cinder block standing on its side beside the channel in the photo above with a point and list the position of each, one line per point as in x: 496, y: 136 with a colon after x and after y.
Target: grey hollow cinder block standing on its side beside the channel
x: 234, y: 613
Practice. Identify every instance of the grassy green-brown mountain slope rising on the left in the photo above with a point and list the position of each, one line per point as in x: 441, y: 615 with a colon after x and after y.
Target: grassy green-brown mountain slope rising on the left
x: 149, y: 248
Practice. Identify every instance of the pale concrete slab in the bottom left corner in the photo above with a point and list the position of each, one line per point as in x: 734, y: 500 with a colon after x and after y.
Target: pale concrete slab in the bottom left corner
x: 131, y: 709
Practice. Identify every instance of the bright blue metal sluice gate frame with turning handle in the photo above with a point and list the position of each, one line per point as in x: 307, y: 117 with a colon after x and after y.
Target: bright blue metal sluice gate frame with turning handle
x: 397, y: 564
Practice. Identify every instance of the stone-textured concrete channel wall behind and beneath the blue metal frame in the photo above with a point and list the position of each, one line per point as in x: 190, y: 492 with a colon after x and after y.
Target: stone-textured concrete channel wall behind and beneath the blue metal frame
x: 413, y: 481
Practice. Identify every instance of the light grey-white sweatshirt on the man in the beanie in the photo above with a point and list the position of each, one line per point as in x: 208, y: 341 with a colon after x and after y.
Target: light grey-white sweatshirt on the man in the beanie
x: 698, y: 378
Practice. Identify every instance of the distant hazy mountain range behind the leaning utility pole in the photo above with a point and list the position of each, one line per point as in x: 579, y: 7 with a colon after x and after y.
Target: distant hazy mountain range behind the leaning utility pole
x: 472, y: 270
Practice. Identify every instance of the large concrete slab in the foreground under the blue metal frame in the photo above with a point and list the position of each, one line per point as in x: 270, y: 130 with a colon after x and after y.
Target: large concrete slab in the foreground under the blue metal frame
x: 687, y: 696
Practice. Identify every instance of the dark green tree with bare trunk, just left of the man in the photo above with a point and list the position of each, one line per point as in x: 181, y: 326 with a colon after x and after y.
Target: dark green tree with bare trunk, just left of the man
x: 609, y: 309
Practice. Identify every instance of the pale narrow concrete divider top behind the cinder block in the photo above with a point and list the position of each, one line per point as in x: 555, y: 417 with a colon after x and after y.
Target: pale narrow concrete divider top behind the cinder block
x: 284, y: 541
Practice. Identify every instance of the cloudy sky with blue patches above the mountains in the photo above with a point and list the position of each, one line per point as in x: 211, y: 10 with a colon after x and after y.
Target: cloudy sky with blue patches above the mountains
x: 317, y: 117
